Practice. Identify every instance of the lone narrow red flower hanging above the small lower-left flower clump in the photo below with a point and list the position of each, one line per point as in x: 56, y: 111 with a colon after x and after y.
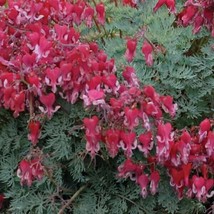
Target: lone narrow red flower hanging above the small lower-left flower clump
x: 34, y: 131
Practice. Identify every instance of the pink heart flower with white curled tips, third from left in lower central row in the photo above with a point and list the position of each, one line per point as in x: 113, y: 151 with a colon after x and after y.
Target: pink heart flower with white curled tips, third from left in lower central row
x: 128, y: 142
